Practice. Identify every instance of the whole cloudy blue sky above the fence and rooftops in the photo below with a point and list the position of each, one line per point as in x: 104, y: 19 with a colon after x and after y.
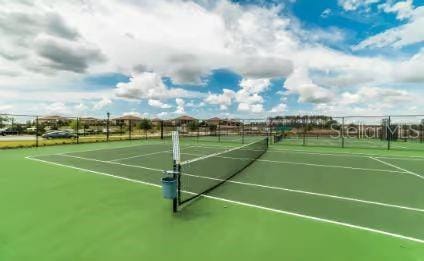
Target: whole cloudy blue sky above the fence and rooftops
x: 244, y: 59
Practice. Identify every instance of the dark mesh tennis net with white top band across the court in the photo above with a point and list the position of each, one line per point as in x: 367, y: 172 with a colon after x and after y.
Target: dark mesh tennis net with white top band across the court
x: 201, y: 175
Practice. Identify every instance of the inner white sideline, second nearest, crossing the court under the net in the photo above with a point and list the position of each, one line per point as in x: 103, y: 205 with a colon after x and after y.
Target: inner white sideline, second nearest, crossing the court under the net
x: 265, y: 186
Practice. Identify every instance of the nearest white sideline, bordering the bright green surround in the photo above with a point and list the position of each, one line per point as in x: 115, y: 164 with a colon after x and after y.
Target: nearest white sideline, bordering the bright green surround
x: 377, y: 231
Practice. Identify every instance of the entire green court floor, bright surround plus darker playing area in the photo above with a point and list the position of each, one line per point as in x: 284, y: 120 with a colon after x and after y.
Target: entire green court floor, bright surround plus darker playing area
x: 103, y: 202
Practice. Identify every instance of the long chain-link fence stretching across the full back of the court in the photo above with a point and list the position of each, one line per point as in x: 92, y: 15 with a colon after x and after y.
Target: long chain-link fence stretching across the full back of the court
x: 401, y: 132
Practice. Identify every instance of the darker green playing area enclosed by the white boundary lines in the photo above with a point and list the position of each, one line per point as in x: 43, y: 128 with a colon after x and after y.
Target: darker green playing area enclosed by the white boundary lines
x: 382, y: 194
